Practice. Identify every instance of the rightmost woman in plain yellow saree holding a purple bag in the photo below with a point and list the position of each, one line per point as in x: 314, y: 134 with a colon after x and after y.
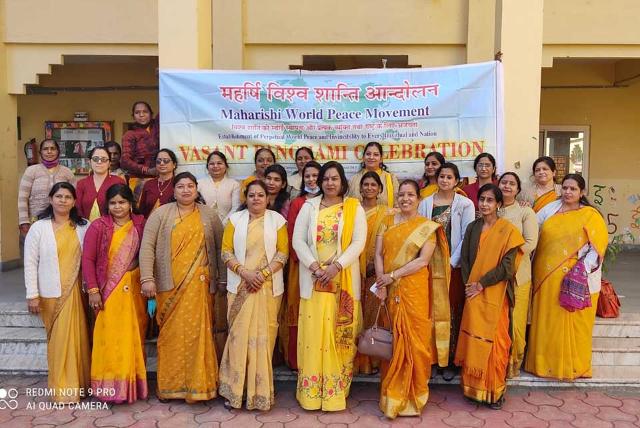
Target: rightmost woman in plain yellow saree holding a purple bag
x: 573, y: 238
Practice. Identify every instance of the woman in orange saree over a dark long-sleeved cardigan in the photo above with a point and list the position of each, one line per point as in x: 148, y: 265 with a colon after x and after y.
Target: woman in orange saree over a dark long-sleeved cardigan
x: 490, y: 257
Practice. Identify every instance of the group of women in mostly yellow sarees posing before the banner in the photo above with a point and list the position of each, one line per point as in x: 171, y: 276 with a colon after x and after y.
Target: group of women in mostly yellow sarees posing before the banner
x: 305, y: 261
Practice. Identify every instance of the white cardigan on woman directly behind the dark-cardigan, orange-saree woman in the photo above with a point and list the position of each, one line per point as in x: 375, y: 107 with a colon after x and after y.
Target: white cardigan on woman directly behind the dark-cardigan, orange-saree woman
x: 462, y: 214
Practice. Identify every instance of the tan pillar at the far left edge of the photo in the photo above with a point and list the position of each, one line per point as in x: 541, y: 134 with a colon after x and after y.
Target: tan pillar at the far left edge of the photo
x: 9, y: 244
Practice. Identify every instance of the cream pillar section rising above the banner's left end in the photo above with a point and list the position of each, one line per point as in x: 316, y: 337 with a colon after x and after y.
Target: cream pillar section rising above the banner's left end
x: 184, y: 34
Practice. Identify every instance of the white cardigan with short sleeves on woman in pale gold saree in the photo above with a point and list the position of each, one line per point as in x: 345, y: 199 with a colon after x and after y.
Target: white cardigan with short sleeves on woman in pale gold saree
x: 272, y: 223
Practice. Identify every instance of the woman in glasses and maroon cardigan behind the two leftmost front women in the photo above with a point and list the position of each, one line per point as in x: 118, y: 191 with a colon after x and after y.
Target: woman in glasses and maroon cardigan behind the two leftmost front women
x: 91, y: 190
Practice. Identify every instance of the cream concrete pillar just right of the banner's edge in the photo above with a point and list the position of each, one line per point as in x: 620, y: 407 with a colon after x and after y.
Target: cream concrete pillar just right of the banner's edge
x: 519, y: 38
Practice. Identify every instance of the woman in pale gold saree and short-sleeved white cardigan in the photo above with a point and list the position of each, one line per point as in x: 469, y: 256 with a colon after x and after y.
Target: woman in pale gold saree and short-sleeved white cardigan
x: 255, y: 248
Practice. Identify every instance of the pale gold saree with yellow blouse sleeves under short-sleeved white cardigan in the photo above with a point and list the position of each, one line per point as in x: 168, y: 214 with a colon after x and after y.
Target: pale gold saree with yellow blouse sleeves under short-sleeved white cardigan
x: 245, y: 368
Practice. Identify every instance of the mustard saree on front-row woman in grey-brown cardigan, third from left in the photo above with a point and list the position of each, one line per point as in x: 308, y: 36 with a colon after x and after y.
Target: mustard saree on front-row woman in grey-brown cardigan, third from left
x: 187, y: 363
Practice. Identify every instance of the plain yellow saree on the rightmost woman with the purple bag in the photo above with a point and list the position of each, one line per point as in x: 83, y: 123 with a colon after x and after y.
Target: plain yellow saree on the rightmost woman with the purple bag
x: 559, y: 344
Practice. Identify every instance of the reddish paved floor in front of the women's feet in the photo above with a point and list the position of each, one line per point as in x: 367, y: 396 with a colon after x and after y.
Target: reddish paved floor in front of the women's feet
x: 568, y: 407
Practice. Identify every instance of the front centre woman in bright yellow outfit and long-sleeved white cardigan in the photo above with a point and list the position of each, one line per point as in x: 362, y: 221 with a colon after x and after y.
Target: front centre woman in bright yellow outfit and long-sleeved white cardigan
x: 328, y: 238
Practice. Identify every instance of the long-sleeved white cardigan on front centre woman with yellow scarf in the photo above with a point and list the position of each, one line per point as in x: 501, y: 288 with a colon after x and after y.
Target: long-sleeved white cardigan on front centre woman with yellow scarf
x: 304, y: 242
